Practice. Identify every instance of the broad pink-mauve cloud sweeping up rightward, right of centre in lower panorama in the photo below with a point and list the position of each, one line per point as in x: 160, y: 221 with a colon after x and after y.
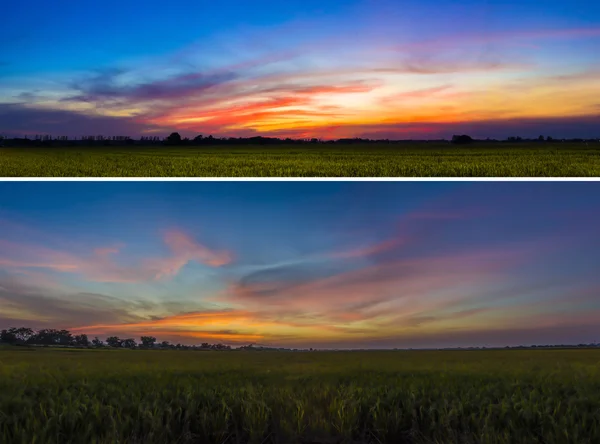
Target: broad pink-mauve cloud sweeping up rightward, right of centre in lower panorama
x: 410, y: 283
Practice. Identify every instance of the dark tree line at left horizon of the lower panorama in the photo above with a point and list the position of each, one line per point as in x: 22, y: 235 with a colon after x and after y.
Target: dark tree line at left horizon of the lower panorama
x: 55, y: 337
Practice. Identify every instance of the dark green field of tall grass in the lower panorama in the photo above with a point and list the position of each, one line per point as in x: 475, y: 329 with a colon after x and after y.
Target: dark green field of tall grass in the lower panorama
x: 133, y: 396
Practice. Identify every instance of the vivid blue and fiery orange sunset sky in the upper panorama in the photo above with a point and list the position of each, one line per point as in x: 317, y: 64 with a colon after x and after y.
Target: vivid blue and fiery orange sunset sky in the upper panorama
x: 396, y: 69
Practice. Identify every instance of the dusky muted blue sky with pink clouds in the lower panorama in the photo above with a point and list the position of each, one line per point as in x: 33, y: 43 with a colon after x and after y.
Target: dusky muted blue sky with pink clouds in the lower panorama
x: 305, y: 264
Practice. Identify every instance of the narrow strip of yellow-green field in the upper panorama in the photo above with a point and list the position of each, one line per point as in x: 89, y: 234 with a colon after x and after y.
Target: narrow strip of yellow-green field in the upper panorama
x: 364, y: 160
